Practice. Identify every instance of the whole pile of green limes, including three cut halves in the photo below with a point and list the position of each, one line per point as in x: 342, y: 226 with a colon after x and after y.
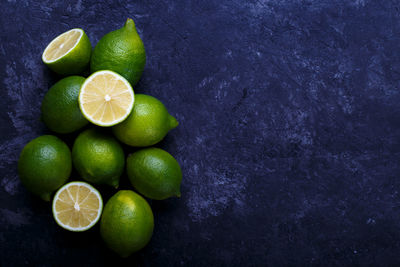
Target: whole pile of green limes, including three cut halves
x: 104, y: 99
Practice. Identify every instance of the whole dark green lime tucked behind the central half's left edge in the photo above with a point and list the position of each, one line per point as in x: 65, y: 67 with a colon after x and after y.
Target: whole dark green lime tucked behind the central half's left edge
x: 60, y: 108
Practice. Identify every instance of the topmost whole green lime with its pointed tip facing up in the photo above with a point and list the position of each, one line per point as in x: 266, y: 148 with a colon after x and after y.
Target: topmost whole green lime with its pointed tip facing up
x: 121, y: 51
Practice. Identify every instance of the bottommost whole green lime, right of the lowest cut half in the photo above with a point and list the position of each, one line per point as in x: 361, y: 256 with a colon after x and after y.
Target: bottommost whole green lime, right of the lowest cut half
x: 127, y: 223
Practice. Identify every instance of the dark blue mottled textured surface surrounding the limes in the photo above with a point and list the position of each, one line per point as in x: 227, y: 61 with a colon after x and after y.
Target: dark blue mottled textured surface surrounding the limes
x: 289, y: 130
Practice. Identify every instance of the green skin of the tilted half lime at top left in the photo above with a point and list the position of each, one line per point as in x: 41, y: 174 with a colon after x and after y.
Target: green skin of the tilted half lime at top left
x: 76, y: 61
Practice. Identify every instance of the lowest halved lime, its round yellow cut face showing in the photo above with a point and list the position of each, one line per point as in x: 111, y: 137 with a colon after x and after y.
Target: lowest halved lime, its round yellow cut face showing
x: 77, y: 206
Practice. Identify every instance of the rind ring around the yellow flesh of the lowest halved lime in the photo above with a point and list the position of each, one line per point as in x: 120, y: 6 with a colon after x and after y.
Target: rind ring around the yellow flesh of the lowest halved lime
x: 79, y: 229
